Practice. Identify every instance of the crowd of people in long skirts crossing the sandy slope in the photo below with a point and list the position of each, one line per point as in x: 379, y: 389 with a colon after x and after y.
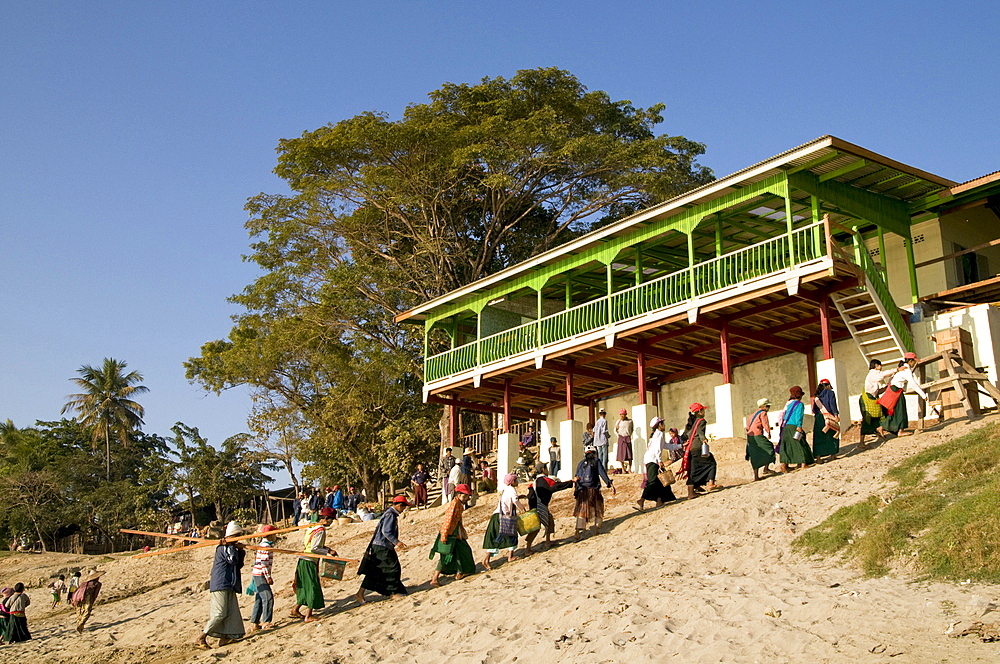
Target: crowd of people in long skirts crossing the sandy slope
x: 884, y: 413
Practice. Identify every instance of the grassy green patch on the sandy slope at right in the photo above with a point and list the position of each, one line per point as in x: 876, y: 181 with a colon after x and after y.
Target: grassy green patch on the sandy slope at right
x: 942, y: 519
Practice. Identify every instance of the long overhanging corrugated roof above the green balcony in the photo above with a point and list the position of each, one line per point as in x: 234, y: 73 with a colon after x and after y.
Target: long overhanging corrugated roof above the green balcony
x: 878, y: 174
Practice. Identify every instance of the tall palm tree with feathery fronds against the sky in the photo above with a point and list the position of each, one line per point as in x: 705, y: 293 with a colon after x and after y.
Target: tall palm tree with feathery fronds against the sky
x: 105, y: 404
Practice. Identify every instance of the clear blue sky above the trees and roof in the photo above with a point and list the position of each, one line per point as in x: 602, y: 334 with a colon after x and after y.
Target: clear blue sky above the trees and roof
x: 132, y: 133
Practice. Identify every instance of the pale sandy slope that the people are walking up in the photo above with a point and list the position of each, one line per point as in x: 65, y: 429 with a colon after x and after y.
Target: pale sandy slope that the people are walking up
x: 708, y: 580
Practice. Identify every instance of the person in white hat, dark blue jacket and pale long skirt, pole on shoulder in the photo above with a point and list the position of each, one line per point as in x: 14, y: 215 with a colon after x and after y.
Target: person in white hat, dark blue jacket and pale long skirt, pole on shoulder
x: 225, y: 621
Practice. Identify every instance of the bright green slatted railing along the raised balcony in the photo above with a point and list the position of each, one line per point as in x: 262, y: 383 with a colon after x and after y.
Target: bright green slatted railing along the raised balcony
x: 758, y: 260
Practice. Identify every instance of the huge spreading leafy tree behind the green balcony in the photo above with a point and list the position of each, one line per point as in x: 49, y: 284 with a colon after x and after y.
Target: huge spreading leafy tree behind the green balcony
x: 385, y: 213
